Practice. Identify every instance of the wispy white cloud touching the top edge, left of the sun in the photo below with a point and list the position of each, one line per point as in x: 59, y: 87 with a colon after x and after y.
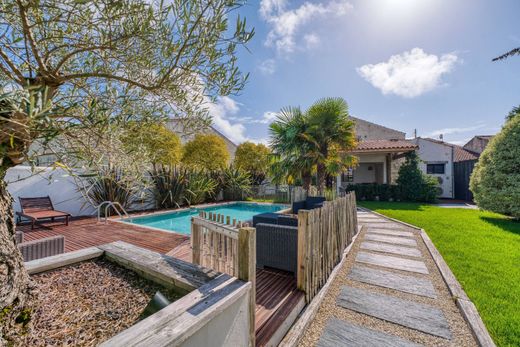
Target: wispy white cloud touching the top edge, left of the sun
x: 286, y: 24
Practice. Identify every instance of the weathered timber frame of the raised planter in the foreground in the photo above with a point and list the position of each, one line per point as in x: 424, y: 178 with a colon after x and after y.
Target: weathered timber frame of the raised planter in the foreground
x: 213, y: 311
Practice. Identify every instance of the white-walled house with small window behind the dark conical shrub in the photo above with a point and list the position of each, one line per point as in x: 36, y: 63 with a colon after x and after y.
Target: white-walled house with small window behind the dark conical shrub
x: 437, y: 158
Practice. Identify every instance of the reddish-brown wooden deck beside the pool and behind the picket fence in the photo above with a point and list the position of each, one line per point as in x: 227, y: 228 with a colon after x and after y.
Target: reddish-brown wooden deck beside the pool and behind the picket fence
x: 276, y: 293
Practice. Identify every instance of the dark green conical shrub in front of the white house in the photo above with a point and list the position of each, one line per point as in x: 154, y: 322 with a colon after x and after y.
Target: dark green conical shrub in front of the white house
x: 413, y: 184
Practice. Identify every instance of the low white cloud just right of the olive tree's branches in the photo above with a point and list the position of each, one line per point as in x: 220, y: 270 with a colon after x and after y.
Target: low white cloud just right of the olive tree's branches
x: 220, y: 111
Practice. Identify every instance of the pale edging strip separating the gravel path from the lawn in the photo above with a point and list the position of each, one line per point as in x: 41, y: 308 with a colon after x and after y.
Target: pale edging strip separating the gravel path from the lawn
x: 465, y: 305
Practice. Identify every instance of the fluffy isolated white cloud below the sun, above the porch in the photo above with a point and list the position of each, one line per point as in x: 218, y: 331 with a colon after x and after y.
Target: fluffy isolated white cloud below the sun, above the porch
x: 409, y: 74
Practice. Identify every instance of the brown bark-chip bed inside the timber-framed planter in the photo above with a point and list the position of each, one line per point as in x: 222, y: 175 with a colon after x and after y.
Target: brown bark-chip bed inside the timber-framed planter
x: 87, y: 303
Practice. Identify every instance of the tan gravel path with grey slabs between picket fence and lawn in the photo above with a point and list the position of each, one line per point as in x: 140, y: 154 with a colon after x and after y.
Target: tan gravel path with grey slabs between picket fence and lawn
x: 333, y: 315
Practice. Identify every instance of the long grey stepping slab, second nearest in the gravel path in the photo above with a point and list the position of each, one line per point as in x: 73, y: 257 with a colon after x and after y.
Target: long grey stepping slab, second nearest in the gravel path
x: 407, y: 313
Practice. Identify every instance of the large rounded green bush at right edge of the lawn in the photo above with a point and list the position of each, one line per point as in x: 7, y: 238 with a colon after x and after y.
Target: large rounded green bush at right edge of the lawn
x: 495, y: 181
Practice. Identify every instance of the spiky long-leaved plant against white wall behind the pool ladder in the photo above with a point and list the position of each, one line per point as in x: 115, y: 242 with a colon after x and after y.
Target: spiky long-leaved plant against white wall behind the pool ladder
x: 110, y: 184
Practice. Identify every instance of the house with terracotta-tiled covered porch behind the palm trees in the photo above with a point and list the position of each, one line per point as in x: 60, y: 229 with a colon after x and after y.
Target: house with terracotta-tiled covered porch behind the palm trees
x: 380, y: 153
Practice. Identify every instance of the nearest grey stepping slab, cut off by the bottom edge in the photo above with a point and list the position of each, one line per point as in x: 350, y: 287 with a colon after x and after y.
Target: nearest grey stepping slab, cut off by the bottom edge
x: 339, y: 333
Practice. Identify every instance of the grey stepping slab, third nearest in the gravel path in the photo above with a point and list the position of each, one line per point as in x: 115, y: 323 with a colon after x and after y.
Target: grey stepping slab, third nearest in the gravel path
x: 402, y: 283
